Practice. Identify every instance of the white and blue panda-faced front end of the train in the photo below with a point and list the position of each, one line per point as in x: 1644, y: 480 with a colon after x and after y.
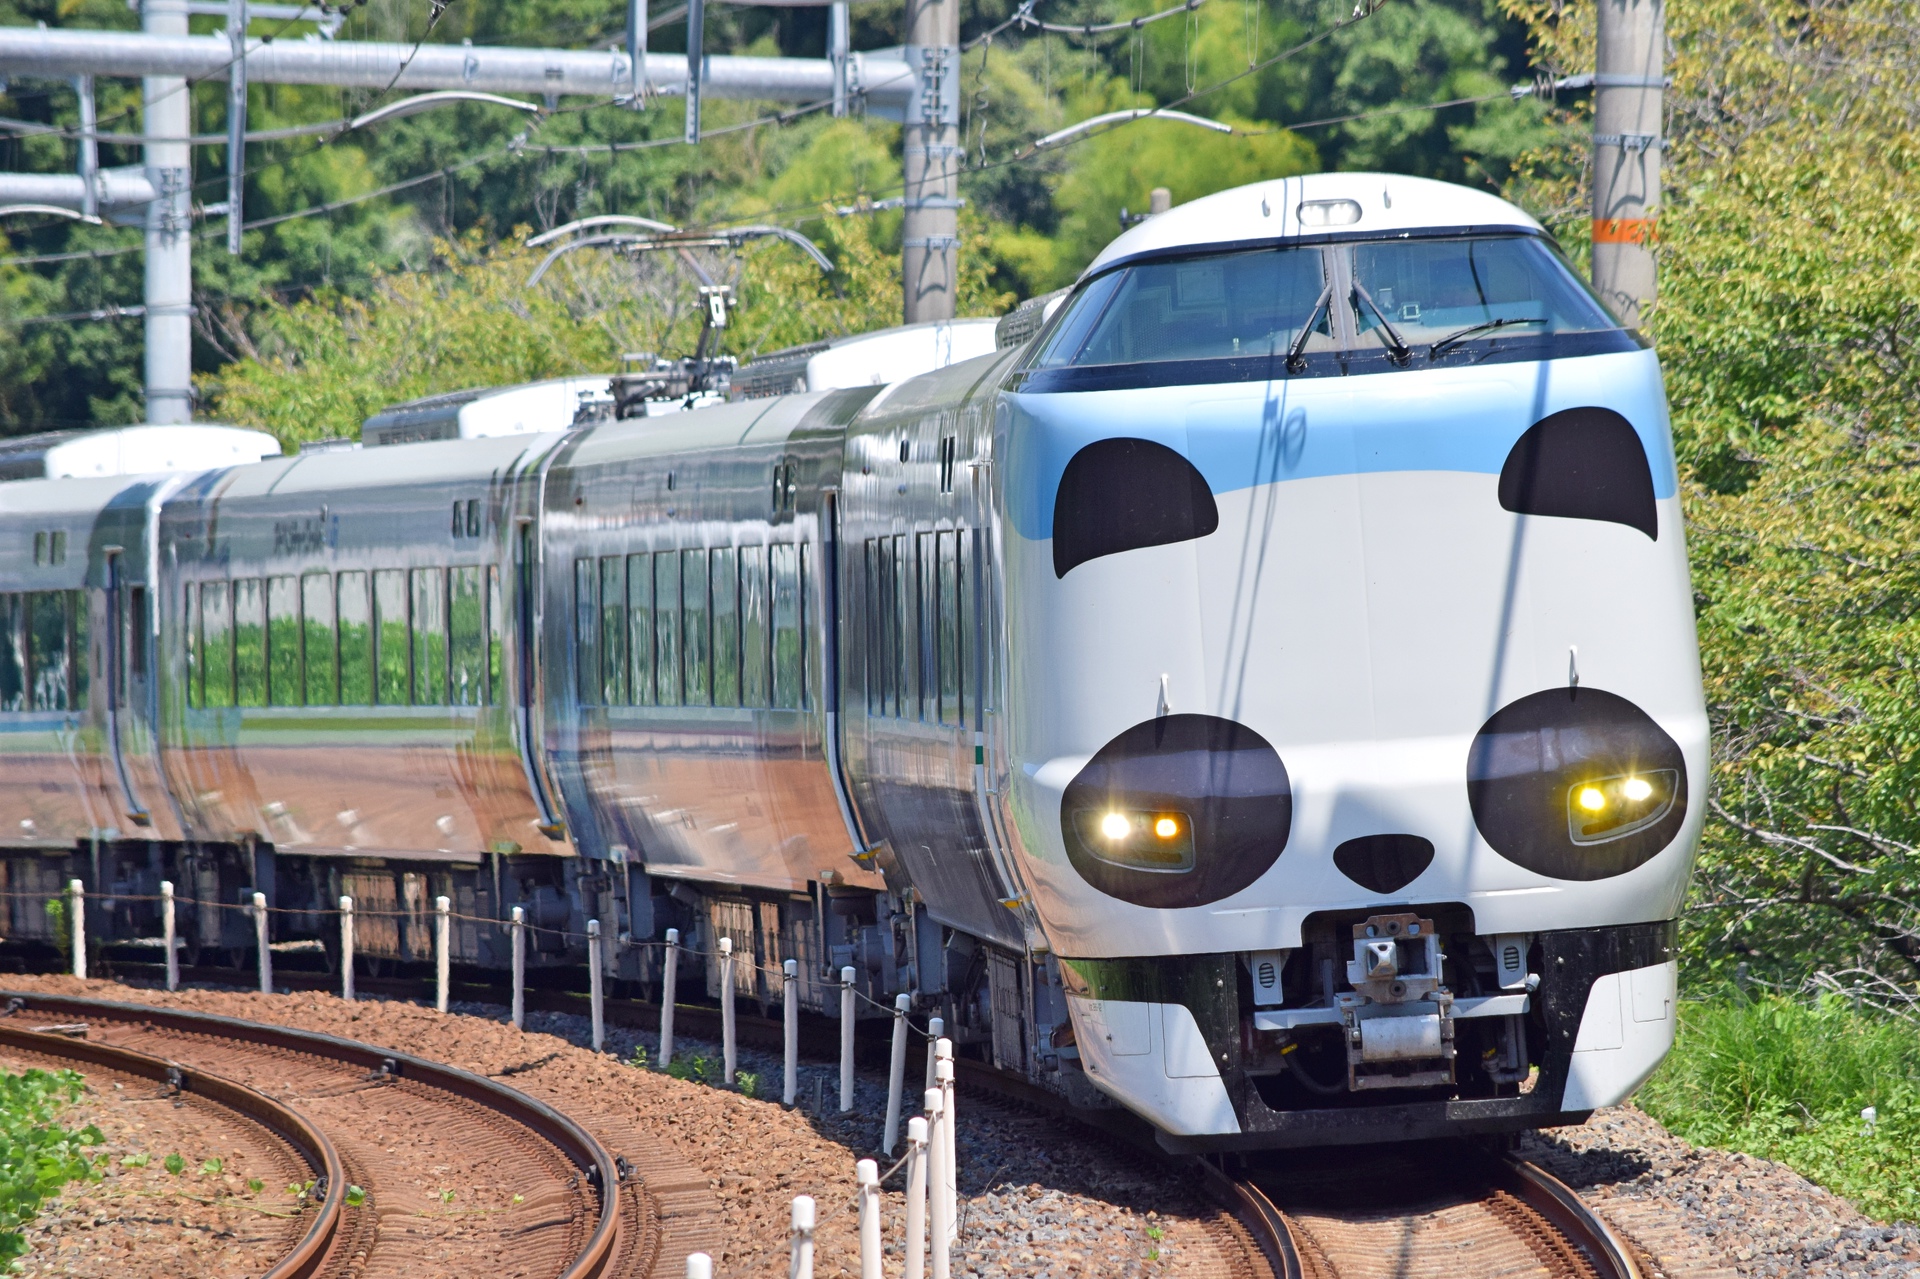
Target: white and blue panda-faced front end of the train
x: 1353, y: 667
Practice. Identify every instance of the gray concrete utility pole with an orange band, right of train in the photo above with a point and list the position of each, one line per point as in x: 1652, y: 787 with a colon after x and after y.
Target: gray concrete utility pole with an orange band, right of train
x: 1629, y: 103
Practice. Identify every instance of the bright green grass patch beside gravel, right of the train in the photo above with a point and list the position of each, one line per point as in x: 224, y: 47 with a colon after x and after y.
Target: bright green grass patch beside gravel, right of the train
x: 1788, y: 1080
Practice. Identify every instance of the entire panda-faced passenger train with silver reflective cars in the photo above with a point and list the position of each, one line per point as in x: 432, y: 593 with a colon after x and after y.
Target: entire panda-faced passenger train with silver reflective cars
x: 1255, y: 688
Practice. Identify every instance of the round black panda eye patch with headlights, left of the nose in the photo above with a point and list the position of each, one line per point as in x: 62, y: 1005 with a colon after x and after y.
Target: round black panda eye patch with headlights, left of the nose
x: 1178, y: 811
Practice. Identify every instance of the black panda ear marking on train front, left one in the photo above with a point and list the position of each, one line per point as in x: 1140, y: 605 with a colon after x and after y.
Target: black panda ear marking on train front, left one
x: 1128, y: 495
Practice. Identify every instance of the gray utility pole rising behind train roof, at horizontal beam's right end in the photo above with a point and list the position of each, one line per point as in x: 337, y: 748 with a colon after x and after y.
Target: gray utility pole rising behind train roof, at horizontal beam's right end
x: 930, y: 260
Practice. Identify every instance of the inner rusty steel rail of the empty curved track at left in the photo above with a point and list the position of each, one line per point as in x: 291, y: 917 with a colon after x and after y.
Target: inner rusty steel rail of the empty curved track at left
x: 281, y: 1121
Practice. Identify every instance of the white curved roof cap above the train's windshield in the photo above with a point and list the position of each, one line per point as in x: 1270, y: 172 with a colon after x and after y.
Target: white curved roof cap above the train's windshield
x: 1316, y: 205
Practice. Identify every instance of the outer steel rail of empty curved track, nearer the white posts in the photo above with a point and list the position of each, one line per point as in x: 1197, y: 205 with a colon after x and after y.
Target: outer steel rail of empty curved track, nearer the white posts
x: 573, y: 1142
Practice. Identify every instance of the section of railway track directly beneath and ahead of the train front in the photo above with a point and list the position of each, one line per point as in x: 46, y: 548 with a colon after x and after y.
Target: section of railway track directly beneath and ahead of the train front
x: 1424, y: 1215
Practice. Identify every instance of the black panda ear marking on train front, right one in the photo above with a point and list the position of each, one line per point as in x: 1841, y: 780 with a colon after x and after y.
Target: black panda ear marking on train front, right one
x: 1583, y: 466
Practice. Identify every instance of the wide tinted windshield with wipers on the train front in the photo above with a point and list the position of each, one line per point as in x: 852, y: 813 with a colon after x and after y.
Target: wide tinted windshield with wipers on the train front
x: 1257, y: 302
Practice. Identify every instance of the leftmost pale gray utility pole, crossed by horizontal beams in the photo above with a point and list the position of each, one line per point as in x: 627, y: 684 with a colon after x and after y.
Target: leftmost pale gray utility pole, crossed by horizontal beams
x: 170, y: 228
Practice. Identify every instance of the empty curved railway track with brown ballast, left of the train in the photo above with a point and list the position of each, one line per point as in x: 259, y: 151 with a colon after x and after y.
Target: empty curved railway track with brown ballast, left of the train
x: 454, y: 1172
